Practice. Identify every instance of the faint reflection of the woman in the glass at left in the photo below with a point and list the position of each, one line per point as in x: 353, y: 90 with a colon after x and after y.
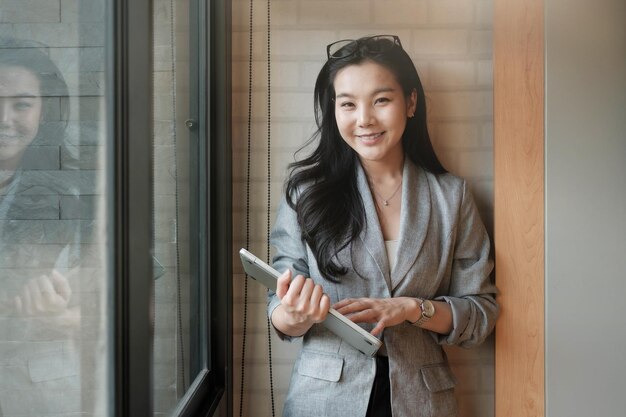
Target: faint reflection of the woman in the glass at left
x: 36, y: 257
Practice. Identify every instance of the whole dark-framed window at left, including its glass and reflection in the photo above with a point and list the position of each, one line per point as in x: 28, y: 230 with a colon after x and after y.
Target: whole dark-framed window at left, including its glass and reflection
x: 110, y: 221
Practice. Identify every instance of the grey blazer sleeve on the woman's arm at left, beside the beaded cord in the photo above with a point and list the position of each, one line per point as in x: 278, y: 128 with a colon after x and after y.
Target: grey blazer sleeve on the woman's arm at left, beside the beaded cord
x: 290, y: 253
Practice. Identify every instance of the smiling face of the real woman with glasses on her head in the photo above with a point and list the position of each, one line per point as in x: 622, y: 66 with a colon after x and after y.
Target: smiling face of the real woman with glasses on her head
x: 371, y: 112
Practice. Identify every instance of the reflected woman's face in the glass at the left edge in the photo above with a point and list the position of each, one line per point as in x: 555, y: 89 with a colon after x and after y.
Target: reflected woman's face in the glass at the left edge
x: 20, y: 111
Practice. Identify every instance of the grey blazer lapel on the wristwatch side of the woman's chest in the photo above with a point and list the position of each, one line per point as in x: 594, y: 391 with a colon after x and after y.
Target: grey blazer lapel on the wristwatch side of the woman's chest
x: 414, y: 220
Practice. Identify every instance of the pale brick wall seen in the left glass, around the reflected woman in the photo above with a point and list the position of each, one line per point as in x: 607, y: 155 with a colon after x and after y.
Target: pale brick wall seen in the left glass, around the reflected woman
x: 42, y: 361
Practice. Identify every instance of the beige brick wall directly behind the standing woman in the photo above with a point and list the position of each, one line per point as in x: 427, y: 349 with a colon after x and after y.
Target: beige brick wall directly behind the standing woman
x: 450, y: 42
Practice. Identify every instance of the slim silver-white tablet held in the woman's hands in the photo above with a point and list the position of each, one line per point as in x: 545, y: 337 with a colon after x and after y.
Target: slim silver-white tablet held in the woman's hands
x: 336, y: 322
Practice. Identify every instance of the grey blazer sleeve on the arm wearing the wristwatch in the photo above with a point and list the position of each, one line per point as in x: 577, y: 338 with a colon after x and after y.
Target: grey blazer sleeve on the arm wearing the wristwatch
x: 471, y: 294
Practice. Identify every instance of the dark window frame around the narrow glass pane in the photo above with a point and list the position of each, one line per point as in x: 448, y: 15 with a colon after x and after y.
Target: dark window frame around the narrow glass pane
x: 129, y: 183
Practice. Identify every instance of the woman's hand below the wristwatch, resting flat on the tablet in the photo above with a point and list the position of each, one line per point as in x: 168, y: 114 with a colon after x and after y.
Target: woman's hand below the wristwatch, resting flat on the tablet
x: 385, y: 312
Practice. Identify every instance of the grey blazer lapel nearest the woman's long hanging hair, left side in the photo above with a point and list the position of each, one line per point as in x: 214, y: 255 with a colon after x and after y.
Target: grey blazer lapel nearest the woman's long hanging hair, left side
x: 372, y: 235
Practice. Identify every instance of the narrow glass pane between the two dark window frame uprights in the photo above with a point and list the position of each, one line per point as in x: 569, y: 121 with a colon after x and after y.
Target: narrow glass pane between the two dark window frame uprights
x: 175, y: 209
